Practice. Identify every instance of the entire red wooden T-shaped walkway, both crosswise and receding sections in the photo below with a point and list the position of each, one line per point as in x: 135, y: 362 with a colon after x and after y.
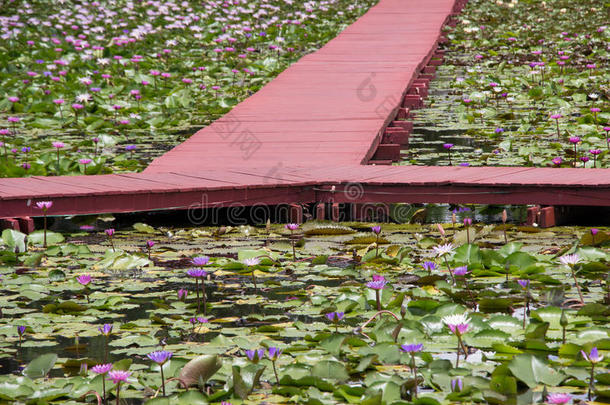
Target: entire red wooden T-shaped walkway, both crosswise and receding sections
x: 306, y: 136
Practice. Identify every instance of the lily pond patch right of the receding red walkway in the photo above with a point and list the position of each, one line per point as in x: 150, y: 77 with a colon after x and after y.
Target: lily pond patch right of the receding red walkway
x: 523, y: 83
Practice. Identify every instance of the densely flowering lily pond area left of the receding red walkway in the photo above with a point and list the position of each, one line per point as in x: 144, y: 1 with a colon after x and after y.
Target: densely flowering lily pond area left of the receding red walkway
x: 106, y: 86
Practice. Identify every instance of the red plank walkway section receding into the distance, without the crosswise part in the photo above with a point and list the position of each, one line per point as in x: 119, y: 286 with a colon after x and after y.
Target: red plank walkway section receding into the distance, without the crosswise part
x: 327, y: 108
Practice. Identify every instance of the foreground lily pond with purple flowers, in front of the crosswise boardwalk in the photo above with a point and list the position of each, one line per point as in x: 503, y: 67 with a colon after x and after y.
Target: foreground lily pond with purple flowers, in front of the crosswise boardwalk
x: 397, y: 314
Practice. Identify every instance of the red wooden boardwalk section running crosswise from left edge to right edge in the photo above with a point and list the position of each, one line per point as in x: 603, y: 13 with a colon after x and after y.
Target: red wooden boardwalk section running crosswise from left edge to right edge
x: 154, y: 191
